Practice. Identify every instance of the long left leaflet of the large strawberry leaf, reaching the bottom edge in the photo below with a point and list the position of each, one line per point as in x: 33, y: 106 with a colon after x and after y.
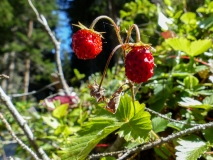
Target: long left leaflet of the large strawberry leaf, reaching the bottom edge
x: 78, y: 147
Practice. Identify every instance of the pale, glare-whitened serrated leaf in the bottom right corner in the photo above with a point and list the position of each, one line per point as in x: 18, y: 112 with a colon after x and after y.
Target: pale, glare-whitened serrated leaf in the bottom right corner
x: 190, y: 148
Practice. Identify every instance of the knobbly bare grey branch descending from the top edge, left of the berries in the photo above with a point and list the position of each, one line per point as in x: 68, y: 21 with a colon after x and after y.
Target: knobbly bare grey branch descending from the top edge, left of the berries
x: 56, y: 43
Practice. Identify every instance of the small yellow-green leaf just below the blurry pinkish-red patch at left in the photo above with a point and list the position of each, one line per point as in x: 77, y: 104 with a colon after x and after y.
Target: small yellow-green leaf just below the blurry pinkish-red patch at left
x: 60, y: 111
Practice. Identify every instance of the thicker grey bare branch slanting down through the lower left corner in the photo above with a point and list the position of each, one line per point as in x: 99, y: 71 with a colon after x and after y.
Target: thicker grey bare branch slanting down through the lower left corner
x: 22, y: 123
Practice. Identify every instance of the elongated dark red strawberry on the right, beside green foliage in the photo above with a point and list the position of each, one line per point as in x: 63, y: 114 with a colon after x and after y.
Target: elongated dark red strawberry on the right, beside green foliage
x: 139, y: 64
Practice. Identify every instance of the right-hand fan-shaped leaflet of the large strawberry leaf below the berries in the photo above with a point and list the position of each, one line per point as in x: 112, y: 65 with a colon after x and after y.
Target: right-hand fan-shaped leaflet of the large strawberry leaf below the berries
x: 137, y: 128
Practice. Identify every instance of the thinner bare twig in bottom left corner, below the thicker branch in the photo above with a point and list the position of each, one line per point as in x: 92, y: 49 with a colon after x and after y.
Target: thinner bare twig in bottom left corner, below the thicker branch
x: 17, y: 139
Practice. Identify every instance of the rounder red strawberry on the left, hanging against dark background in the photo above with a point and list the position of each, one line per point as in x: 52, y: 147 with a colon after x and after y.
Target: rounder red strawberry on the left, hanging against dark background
x: 86, y: 44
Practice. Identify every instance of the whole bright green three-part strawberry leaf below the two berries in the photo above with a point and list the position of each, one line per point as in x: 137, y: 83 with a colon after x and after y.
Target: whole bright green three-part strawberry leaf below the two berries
x: 133, y: 125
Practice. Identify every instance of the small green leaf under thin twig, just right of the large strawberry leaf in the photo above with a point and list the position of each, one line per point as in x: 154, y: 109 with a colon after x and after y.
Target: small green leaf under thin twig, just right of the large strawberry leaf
x: 159, y: 124
